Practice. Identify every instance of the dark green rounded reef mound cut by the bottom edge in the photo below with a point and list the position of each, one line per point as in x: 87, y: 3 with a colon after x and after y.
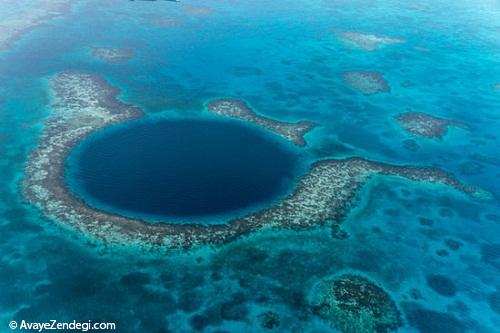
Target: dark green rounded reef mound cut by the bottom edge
x: 354, y: 303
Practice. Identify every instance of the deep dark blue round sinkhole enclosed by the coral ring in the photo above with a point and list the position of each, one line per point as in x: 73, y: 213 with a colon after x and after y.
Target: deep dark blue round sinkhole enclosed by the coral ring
x: 180, y: 168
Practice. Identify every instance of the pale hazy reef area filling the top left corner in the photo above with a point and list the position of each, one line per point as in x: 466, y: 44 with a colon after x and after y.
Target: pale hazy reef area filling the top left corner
x: 20, y: 21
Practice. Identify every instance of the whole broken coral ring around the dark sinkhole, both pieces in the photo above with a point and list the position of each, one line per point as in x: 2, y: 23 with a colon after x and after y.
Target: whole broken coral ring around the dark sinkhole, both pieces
x: 84, y: 103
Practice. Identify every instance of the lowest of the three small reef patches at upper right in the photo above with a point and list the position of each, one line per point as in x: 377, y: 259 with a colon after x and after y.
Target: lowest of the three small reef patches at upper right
x: 426, y: 125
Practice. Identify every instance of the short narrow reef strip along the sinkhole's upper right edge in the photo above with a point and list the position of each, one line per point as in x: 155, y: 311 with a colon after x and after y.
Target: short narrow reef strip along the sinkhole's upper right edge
x: 238, y: 109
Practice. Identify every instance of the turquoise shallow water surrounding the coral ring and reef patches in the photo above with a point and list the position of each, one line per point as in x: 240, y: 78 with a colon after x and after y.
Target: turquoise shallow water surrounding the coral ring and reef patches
x: 285, y: 59
